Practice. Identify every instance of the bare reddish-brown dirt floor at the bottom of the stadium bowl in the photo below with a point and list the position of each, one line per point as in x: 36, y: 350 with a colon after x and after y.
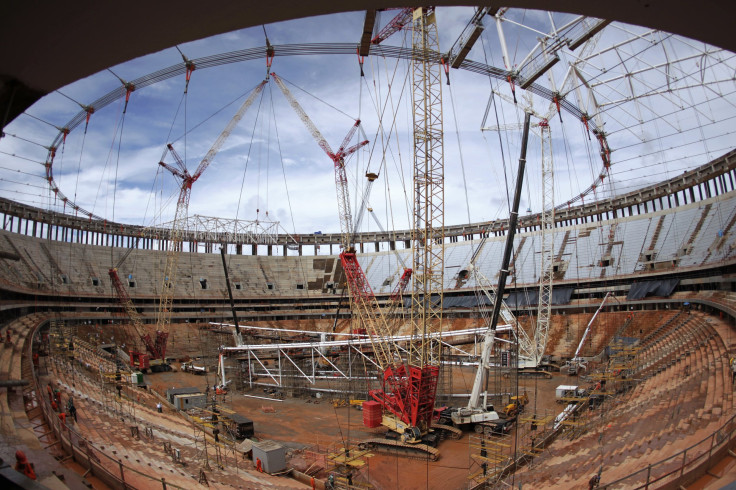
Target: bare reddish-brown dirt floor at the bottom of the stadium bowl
x: 306, y: 423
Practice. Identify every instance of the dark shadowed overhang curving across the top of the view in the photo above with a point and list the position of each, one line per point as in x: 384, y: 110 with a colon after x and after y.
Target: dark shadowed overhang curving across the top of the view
x: 37, y: 56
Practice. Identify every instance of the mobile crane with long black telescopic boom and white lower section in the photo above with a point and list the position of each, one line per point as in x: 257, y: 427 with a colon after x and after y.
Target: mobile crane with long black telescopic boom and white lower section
x: 478, y: 411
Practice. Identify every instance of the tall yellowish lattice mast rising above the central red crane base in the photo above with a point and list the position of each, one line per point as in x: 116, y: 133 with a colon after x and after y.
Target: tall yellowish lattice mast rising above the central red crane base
x: 428, y: 226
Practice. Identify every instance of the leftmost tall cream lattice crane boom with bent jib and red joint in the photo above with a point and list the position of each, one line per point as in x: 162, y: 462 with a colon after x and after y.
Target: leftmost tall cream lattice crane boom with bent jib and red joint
x: 174, y: 242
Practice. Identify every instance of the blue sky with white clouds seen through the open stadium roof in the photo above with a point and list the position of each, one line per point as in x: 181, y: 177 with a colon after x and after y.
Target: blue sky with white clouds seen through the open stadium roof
x: 271, y: 164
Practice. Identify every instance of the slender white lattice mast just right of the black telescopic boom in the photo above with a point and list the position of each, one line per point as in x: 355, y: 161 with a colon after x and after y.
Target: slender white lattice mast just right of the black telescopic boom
x: 547, y: 216
